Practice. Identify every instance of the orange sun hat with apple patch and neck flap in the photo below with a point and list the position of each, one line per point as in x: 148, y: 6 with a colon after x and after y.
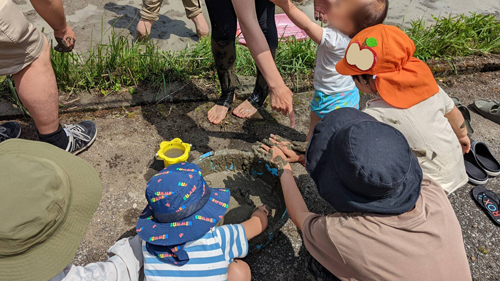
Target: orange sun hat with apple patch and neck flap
x: 387, y: 52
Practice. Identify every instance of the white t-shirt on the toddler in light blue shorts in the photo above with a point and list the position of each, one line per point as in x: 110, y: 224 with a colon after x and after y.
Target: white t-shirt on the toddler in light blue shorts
x: 330, y: 51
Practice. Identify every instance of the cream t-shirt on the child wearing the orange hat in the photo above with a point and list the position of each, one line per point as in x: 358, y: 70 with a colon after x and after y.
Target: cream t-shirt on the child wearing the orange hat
x: 430, y: 136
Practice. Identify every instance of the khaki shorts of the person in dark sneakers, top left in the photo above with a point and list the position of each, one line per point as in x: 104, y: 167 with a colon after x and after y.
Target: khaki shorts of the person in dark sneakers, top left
x: 20, y: 42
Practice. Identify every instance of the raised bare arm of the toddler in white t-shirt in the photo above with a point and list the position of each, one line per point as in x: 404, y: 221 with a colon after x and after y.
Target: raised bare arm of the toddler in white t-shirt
x: 301, y: 20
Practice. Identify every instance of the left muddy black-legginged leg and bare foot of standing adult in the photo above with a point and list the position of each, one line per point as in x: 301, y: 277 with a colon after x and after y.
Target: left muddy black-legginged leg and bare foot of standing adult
x: 223, y: 20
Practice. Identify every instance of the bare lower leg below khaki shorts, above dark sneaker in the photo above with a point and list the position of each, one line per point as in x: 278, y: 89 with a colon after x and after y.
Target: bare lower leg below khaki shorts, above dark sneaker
x: 37, y: 89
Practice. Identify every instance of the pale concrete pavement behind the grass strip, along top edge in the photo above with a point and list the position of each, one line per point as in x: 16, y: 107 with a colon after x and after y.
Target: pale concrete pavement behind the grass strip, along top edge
x: 173, y: 31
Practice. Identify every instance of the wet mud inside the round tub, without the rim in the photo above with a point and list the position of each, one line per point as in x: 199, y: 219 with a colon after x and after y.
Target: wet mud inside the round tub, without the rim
x: 247, y: 193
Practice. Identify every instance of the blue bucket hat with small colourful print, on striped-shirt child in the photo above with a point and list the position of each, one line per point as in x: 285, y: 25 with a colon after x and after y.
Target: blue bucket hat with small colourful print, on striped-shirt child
x: 181, y: 206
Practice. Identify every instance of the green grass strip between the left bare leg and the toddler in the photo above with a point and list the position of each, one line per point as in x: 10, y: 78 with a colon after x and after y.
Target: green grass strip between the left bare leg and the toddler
x: 122, y: 63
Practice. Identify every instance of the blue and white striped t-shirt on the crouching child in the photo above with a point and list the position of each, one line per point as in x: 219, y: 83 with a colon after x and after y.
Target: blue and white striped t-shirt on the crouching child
x: 209, y: 256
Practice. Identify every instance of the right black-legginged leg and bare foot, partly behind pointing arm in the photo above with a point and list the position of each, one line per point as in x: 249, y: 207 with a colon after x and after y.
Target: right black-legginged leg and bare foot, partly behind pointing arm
x: 265, y: 13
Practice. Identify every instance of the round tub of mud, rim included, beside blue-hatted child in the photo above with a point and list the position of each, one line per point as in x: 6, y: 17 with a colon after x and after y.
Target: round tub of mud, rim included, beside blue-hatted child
x: 252, y: 181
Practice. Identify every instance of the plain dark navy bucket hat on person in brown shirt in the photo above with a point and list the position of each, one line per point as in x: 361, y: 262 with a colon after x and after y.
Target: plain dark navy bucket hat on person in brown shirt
x: 362, y: 165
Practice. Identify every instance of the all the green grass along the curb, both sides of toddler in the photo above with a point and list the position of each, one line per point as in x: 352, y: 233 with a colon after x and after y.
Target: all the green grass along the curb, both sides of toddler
x: 123, y: 64
